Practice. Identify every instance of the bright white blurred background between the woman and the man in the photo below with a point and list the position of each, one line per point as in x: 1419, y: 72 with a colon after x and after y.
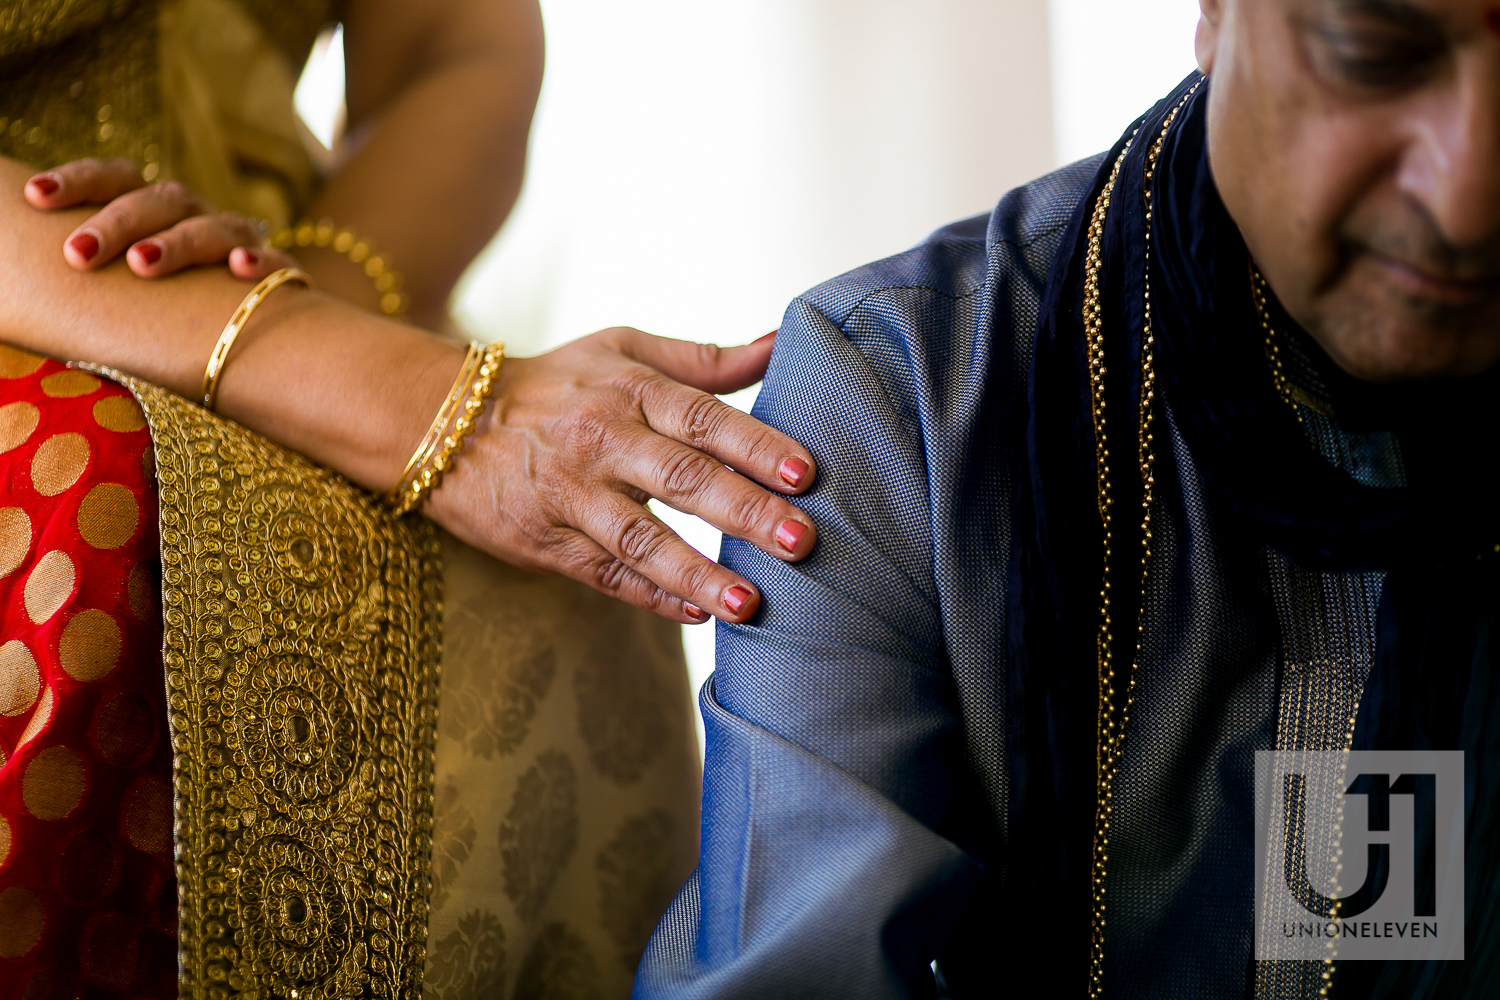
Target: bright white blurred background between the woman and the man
x: 697, y: 164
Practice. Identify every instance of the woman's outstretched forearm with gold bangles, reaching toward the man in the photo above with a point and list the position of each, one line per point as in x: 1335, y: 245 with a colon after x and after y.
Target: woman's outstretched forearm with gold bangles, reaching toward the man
x: 320, y: 377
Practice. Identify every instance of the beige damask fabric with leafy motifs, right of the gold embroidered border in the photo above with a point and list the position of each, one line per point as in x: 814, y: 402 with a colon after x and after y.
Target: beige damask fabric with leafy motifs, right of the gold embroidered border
x: 529, y: 830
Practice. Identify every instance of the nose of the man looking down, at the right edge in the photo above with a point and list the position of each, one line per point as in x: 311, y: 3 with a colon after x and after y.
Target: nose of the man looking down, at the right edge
x: 1454, y: 170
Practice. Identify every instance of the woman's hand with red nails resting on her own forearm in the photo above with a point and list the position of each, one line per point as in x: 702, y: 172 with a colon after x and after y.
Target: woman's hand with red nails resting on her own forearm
x: 161, y: 229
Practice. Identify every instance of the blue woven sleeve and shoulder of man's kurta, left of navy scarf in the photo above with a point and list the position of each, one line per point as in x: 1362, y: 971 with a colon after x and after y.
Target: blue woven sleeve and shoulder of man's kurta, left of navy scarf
x: 856, y: 788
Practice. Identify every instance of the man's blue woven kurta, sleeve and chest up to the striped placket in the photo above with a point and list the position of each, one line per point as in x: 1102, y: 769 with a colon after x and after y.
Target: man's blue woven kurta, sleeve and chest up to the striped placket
x: 862, y: 773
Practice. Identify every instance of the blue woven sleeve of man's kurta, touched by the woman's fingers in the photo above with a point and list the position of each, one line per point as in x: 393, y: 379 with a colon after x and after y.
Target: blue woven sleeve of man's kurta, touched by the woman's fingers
x: 832, y: 720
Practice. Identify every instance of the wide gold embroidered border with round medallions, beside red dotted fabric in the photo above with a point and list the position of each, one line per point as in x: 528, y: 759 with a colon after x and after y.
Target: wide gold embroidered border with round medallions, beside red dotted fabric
x: 302, y: 650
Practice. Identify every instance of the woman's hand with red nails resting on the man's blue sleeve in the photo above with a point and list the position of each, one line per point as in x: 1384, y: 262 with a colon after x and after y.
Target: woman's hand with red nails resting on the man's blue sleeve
x: 575, y: 445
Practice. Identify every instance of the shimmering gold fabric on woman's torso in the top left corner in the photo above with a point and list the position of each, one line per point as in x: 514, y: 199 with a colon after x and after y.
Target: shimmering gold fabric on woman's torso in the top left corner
x: 197, y: 91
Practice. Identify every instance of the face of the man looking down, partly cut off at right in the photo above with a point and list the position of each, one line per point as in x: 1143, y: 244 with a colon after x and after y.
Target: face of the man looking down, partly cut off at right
x: 1357, y: 143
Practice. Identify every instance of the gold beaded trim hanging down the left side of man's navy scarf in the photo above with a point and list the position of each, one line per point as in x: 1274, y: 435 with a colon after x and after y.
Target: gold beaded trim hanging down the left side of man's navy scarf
x: 1111, y: 734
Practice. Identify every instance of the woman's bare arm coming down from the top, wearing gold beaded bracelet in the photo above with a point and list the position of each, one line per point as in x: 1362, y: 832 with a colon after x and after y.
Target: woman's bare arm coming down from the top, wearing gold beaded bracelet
x: 442, y: 97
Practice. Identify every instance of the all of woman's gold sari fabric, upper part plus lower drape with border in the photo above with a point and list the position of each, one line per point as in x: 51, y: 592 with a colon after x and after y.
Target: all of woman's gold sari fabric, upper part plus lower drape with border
x: 311, y: 855
